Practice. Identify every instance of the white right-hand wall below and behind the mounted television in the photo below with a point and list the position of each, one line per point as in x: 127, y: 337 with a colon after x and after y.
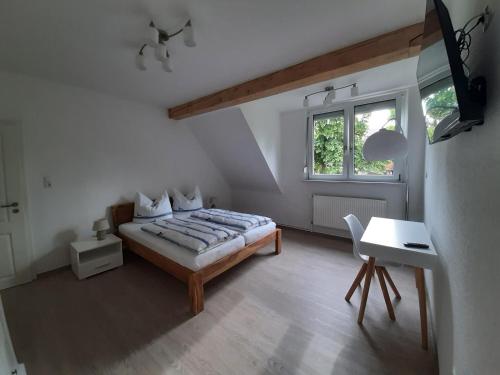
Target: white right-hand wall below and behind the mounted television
x: 462, y: 208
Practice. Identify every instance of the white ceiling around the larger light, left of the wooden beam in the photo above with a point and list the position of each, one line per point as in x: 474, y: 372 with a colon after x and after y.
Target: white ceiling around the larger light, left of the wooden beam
x: 93, y: 43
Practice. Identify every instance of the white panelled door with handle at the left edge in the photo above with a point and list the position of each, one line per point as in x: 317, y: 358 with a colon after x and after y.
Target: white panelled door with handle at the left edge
x: 15, y: 260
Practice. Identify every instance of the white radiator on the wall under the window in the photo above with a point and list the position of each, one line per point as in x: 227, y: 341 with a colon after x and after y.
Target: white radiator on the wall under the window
x: 329, y: 211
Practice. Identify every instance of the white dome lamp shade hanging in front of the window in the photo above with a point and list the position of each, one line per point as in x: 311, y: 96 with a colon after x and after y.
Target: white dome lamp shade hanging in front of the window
x: 385, y: 145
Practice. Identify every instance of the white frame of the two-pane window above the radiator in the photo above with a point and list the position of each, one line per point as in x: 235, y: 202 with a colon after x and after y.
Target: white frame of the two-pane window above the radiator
x: 348, y: 107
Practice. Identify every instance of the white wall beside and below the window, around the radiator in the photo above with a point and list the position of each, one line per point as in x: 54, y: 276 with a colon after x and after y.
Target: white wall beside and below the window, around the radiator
x: 293, y: 206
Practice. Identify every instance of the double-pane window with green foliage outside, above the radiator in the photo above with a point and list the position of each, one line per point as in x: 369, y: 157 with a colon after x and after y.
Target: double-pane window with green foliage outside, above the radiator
x: 337, y: 137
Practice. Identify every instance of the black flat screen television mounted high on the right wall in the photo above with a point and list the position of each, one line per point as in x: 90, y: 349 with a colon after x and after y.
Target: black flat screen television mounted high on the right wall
x: 450, y: 101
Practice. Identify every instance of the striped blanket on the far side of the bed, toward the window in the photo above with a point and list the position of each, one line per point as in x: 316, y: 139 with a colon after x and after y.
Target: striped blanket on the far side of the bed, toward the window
x: 230, y: 219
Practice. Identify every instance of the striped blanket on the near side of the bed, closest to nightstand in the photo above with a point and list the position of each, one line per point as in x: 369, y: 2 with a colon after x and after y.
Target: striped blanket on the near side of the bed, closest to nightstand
x: 194, y: 234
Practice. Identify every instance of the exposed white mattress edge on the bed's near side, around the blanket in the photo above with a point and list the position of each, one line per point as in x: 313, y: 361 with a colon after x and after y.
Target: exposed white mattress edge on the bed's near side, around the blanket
x: 179, y: 254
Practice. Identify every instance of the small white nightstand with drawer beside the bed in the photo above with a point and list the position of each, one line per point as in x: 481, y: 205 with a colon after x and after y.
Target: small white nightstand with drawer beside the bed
x: 91, y: 257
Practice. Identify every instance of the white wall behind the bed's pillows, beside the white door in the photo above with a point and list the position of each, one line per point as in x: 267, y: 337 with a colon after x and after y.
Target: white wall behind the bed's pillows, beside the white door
x: 97, y: 150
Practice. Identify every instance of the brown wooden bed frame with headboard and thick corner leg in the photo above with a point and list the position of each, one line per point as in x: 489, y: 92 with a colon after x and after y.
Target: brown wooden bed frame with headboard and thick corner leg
x: 123, y: 213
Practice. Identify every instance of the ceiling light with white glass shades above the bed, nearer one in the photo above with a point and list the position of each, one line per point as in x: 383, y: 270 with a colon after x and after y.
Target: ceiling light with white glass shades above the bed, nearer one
x: 159, y: 40
